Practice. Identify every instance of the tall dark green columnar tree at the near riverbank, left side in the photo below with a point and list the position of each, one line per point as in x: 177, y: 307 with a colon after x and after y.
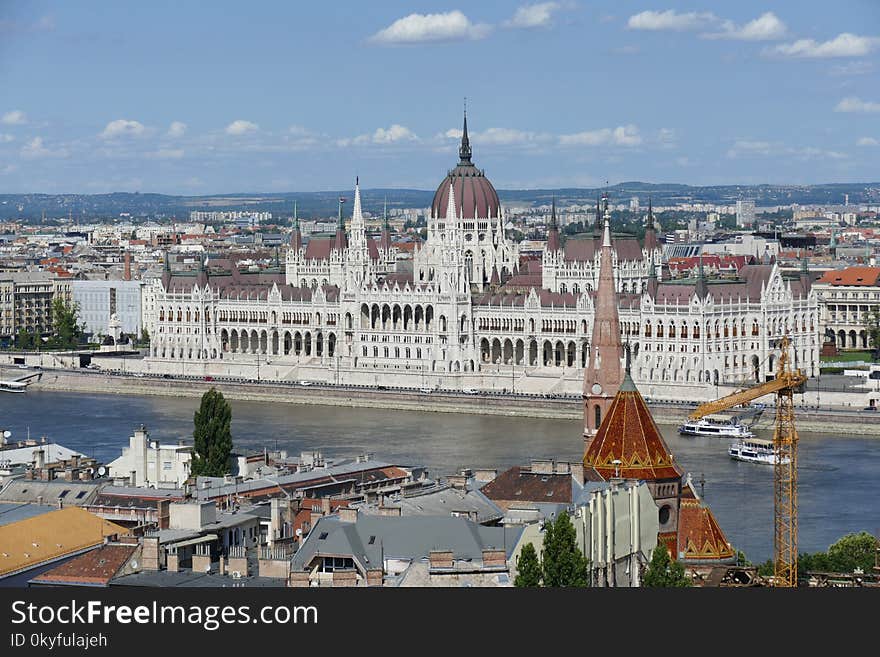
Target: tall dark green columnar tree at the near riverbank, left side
x: 212, y: 436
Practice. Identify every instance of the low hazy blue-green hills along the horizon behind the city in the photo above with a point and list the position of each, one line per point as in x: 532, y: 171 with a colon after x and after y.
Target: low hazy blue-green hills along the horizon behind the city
x: 32, y: 207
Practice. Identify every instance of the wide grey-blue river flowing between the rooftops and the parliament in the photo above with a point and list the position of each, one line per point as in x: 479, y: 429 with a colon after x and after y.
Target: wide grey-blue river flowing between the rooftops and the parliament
x: 838, y: 474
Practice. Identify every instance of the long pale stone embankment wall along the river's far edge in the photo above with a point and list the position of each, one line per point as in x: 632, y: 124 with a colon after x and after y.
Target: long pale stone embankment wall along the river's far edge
x: 808, y: 420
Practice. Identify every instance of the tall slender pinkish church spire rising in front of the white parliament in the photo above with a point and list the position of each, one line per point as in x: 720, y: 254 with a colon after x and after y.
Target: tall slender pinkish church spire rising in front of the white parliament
x: 604, y: 373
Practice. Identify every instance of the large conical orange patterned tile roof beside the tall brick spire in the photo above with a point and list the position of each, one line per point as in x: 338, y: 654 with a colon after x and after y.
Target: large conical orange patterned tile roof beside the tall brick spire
x: 629, y: 434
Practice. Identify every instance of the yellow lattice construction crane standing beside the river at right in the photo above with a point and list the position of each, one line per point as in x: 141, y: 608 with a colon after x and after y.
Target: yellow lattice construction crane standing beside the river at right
x: 788, y: 381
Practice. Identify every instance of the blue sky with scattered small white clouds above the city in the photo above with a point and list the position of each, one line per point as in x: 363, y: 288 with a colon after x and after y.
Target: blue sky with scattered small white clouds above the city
x: 222, y: 97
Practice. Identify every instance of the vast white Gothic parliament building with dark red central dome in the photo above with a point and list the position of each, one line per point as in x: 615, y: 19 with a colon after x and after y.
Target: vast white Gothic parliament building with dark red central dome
x: 467, y: 312
